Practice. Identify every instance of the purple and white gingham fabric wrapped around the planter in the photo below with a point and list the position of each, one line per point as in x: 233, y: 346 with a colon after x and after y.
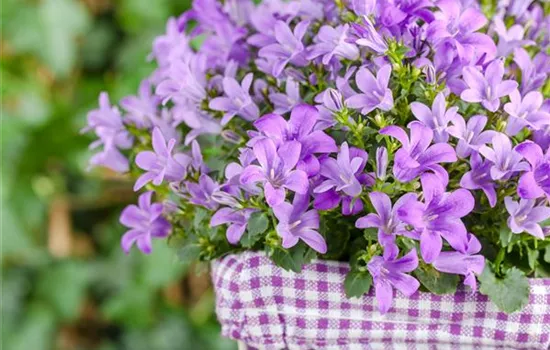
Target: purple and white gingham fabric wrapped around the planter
x: 266, y: 307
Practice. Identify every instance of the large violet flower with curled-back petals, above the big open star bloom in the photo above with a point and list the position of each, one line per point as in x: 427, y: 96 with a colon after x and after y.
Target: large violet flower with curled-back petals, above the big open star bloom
x: 416, y: 155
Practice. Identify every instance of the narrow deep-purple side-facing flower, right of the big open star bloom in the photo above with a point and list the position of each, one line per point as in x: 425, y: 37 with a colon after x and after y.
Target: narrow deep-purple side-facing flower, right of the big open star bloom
x: 479, y: 178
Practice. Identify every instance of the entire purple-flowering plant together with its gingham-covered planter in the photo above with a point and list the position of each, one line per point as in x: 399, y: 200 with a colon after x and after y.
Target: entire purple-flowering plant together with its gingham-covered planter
x: 354, y: 169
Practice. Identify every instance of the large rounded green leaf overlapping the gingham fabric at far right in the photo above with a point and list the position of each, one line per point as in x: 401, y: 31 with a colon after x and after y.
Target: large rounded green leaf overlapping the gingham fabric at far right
x: 510, y: 293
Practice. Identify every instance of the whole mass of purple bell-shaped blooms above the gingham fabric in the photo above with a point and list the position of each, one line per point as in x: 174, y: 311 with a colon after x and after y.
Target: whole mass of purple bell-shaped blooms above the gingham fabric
x: 309, y: 100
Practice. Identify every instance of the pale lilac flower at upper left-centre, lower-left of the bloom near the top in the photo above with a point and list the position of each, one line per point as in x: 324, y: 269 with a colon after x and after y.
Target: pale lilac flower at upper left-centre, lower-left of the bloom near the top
x: 237, y: 101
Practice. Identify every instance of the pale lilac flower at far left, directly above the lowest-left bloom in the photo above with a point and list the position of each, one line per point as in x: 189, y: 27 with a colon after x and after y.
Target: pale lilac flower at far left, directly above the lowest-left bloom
x: 161, y: 165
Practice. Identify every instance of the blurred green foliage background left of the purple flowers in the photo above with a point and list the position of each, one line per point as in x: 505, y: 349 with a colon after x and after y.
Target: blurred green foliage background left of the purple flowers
x: 65, y: 282
